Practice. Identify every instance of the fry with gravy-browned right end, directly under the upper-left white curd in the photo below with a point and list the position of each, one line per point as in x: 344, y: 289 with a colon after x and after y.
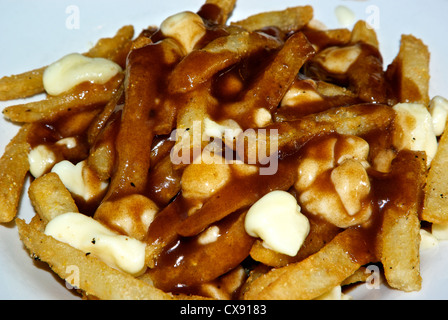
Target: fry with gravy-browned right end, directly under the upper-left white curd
x: 83, y: 96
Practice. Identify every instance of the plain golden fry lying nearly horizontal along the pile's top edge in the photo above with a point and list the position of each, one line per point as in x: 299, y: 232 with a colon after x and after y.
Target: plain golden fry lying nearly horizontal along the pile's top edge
x: 290, y: 19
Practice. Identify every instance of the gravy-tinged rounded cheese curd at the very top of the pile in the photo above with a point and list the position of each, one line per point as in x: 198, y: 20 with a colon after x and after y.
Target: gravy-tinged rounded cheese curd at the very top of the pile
x: 185, y: 27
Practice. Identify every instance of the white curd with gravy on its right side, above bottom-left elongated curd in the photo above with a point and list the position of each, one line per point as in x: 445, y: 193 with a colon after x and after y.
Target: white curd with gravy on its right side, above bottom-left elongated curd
x: 79, y: 179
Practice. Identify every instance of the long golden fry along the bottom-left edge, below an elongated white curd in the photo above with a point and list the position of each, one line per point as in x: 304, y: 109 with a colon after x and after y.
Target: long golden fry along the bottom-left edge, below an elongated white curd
x: 93, y: 276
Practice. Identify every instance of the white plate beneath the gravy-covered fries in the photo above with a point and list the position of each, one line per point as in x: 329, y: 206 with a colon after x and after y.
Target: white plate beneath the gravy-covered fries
x: 36, y: 33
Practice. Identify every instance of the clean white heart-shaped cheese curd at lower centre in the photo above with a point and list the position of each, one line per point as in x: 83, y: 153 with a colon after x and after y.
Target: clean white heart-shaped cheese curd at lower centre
x: 277, y: 220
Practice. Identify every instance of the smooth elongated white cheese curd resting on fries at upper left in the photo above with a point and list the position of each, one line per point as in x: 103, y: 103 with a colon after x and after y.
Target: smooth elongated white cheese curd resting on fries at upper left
x: 76, y: 68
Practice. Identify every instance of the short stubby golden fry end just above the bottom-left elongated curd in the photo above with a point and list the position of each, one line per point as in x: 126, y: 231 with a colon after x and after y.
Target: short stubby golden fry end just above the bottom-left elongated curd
x: 50, y: 197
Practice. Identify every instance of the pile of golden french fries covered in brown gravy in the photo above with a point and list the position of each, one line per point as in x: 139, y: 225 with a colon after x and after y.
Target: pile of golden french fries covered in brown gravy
x: 264, y: 72
